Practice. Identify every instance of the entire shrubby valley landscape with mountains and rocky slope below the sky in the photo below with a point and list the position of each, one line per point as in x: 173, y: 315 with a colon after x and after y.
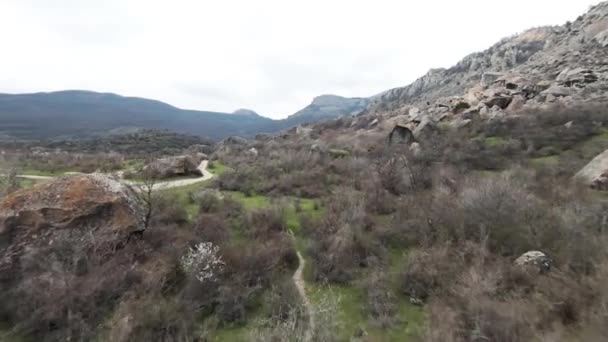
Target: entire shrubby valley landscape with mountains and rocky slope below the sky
x: 469, y: 205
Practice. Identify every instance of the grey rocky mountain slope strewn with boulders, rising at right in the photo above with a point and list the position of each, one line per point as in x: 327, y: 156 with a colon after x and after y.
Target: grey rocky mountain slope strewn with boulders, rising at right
x: 561, y: 64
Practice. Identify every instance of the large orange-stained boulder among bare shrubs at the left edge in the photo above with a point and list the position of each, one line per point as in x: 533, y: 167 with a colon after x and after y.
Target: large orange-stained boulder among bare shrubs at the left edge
x: 90, y: 211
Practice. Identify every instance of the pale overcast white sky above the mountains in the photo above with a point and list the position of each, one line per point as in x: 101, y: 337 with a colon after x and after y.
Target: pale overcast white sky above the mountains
x: 272, y: 56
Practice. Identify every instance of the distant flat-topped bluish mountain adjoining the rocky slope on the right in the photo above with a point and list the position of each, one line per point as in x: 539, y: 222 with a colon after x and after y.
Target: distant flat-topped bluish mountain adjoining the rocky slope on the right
x: 326, y: 107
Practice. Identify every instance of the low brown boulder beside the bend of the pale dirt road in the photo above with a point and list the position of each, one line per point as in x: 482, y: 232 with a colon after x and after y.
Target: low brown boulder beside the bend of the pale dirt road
x: 175, y: 166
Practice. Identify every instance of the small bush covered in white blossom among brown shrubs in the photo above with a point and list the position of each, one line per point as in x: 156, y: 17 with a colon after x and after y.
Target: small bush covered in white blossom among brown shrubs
x: 203, y: 262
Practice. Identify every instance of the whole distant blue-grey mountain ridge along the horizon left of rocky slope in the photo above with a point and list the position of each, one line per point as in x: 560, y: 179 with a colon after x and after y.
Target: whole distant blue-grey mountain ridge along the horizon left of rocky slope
x: 76, y: 114
